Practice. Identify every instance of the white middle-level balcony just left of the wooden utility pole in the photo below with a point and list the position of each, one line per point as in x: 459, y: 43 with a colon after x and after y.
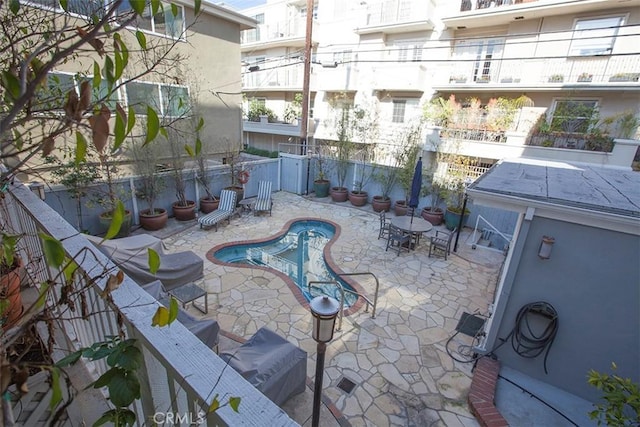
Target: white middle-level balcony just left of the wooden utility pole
x: 283, y: 77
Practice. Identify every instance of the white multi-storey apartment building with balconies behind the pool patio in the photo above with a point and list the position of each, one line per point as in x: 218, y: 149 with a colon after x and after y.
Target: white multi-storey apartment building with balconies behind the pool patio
x: 573, y: 63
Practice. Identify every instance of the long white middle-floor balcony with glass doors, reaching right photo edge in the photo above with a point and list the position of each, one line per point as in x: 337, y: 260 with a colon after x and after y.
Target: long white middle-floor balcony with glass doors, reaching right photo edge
x: 544, y: 74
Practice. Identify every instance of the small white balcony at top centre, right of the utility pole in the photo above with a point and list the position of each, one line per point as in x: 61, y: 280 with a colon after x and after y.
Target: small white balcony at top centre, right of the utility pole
x: 396, y: 16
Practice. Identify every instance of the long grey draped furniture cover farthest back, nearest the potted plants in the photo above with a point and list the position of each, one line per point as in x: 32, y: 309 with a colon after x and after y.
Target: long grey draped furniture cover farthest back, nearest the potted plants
x: 130, y: 254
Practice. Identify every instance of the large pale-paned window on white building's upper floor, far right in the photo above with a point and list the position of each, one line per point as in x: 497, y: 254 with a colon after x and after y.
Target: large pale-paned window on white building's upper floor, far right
x: 594, y: 36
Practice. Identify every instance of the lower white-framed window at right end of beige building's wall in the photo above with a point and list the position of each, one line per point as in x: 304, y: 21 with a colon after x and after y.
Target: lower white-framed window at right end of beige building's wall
x: 167, y: 100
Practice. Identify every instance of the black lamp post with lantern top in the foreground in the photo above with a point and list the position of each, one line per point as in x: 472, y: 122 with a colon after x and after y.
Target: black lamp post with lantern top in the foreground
x: 324, y: 310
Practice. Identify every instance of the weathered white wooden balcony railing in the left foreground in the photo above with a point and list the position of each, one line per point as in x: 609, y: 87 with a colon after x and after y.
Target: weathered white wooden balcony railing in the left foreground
x: 179, y: 374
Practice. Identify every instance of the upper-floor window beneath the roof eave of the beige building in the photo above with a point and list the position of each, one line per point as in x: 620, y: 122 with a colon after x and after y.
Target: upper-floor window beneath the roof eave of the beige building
x: 169, y: 21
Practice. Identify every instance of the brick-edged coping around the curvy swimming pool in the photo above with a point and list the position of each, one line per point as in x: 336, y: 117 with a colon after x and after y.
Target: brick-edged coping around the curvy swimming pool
x: 290, y: 283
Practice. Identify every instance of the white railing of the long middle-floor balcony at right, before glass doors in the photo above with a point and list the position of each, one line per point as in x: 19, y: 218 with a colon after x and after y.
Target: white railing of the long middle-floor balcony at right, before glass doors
x: 545, y: 71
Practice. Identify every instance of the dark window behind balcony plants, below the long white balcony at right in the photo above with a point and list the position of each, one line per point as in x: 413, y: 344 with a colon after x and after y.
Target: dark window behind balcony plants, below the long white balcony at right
x: 573, y: 115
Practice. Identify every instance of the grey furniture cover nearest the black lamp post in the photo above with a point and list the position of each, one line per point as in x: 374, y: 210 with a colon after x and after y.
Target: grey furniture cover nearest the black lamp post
x: 271, y: 364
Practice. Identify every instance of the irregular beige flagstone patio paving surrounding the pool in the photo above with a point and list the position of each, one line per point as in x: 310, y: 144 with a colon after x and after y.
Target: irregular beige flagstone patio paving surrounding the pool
x: 402, y: 373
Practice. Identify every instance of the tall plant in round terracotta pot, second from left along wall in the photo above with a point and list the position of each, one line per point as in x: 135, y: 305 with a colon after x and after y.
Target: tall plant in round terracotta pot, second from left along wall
x: 145, y: 165
